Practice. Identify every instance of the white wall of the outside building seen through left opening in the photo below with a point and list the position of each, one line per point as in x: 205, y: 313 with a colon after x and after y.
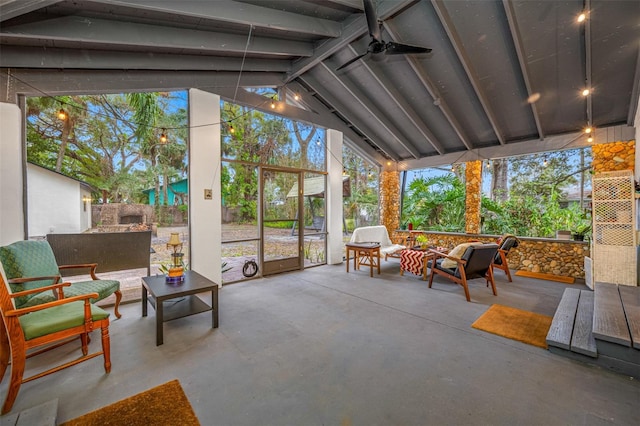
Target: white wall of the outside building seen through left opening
x: 54, y: 203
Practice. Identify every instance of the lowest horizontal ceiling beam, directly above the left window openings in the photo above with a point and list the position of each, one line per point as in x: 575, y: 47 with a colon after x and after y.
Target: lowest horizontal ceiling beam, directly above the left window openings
x: 47, y: 82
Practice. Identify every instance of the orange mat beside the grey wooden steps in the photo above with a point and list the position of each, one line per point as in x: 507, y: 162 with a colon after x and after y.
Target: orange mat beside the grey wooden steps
x: 523, y: 326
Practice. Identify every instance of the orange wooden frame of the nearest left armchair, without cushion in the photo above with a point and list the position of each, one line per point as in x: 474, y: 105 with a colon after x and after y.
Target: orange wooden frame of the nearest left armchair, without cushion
x: 14, y: 345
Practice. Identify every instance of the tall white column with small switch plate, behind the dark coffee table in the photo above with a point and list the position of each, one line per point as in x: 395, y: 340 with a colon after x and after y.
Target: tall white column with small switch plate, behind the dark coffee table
x: 205, y: 216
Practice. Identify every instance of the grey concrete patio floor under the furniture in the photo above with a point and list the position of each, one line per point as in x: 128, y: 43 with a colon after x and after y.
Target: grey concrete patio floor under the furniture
x: 323, y: 347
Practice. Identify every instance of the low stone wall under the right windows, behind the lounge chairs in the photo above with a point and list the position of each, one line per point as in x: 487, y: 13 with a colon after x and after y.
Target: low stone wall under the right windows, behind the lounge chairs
x: 549, y: 256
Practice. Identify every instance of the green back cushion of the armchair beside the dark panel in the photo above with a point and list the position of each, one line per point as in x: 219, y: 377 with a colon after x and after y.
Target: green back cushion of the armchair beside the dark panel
x: 24, y: 259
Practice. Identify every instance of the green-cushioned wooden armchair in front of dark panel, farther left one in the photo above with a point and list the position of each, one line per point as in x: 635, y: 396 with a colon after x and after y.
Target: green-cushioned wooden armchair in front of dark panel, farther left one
x: 32, y: 264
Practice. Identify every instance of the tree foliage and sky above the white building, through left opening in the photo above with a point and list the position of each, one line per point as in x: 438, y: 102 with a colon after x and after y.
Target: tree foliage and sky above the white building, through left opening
x: 109, y: 141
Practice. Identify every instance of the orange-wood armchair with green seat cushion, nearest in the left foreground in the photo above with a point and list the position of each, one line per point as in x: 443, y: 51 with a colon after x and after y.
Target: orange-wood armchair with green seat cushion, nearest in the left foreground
x: 29, y: 331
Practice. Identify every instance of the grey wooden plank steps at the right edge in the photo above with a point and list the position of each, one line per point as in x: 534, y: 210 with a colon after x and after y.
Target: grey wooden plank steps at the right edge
x: 601, y: 327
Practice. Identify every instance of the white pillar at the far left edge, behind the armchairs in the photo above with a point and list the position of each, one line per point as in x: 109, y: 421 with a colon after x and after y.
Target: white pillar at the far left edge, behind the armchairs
x: 11, y: 205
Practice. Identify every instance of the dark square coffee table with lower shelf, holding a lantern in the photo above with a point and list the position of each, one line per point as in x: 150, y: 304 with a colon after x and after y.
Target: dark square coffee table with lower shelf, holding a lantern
x: 156, y: 291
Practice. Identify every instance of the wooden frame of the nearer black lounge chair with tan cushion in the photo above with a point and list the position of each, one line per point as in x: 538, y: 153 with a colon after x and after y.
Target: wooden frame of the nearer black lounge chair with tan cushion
x: 459, y: 274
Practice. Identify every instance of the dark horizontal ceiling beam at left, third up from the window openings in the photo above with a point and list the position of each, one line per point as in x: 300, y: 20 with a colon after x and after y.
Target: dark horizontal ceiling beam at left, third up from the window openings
x: 88, y: 31
